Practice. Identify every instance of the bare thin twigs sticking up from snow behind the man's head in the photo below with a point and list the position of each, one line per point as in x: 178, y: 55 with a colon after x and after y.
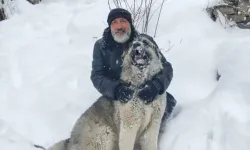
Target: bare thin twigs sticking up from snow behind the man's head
x: 142, y: 12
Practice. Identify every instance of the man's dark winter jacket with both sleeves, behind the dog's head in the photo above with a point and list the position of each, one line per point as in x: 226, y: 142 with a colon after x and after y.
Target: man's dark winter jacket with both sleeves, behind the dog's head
x: 107, y: 61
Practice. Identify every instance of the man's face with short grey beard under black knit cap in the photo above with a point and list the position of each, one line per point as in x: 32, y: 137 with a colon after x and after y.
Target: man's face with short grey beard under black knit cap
x: 120, y: 30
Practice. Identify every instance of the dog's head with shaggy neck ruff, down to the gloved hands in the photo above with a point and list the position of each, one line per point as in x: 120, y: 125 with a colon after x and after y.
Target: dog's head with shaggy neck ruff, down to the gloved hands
x: 141, y: 61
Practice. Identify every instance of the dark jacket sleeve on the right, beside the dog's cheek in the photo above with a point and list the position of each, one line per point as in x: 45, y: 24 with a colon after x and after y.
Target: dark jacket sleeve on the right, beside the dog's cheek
x: 165, y: 77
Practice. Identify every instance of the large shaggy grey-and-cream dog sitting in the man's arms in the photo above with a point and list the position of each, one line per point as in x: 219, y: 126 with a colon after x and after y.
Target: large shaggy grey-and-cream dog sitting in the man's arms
x: 112, y: 125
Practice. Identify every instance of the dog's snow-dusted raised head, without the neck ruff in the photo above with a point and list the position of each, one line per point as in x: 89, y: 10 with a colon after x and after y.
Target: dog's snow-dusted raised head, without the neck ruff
x: 142, y: 51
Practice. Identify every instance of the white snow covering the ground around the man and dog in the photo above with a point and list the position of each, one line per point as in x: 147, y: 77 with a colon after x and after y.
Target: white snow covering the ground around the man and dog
x: 45, y: 64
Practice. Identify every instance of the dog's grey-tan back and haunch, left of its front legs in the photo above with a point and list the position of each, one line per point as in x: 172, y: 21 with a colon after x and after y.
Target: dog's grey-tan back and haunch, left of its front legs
x: 92, y: 130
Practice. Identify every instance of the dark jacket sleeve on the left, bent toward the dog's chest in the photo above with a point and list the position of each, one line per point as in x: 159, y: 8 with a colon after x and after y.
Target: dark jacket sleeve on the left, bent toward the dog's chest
x: 102, y: 83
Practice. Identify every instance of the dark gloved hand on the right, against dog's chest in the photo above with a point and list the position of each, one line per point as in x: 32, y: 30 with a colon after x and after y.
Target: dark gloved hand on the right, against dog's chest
x: 149, y: 91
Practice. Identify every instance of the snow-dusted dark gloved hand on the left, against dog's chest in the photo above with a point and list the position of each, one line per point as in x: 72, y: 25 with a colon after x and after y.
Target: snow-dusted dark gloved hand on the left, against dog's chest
x: 123, y: 93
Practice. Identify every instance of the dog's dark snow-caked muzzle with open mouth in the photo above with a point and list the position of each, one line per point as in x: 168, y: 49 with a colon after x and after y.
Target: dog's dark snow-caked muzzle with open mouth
x: 140, y: 56
